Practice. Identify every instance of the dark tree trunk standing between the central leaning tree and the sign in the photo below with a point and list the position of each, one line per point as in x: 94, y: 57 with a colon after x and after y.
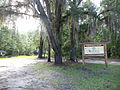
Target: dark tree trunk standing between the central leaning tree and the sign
x: 73, y: 42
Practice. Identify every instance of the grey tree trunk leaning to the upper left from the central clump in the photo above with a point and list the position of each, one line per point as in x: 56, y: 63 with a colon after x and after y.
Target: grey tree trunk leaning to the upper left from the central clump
x: 53, y: 38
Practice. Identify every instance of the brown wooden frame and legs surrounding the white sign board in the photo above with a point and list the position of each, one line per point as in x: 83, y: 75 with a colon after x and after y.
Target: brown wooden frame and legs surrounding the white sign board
x: 94, y: 44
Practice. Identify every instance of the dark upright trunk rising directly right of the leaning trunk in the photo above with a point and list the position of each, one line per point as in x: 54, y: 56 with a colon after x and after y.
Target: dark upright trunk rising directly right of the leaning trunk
x: 58, y: 14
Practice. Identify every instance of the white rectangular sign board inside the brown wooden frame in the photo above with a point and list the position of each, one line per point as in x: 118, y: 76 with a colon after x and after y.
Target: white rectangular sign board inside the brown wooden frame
x: 94, y: 50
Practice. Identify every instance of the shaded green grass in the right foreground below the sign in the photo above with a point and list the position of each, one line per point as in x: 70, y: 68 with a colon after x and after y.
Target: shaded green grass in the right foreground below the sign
x: 85, y: 77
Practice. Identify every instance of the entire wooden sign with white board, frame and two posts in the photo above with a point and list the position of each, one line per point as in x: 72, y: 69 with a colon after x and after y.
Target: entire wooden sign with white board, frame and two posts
x: 91, y: 49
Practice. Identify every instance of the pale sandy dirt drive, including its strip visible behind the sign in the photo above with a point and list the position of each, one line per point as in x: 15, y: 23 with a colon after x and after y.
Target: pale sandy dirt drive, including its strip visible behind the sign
x: 15, y: 74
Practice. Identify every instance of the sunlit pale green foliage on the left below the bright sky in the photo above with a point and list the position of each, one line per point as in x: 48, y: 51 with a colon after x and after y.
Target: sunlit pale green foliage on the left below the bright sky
x: 16, y: 44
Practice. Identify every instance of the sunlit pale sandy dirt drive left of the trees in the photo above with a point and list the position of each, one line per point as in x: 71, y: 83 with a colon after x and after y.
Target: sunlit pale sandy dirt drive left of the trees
x: 15, y: 74
